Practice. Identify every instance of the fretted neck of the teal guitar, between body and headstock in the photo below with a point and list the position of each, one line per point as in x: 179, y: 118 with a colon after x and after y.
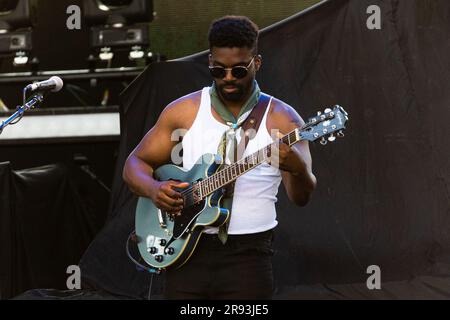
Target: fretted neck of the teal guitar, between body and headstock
x: 231, y: 172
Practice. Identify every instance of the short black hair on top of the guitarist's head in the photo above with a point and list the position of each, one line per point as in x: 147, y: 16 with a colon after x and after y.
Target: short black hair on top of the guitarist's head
x: 233, y: 31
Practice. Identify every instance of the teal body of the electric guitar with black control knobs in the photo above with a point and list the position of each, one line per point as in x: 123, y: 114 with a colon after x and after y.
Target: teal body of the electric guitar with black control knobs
x: 164, y: 242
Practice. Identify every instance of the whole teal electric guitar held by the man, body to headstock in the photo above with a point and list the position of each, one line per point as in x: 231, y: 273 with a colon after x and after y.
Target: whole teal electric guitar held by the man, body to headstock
x: 165, y: 241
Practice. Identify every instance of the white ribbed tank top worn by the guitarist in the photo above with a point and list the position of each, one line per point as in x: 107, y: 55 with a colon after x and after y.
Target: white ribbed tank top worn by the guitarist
x: 255, y: 192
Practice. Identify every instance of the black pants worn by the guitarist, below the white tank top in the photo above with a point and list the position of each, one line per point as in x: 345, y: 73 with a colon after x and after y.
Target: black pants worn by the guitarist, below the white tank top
x: 240, y: 269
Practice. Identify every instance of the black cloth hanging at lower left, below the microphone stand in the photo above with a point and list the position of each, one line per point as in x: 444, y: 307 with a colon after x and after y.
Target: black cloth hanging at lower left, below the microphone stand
x: 45, y: 226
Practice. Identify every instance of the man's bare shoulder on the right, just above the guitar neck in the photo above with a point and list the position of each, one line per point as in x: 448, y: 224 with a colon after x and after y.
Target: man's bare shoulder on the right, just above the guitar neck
x: 283, y: 117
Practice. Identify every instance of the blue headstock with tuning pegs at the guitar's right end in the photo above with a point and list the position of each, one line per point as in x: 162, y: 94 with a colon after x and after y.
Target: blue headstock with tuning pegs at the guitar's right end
x: 325, y: 126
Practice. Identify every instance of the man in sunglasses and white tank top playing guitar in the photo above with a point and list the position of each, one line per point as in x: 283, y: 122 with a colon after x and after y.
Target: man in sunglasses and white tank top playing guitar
x: 239, y: 265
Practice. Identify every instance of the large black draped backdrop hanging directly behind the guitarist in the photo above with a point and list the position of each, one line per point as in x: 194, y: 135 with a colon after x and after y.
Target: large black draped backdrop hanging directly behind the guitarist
x: 383, y: 192
